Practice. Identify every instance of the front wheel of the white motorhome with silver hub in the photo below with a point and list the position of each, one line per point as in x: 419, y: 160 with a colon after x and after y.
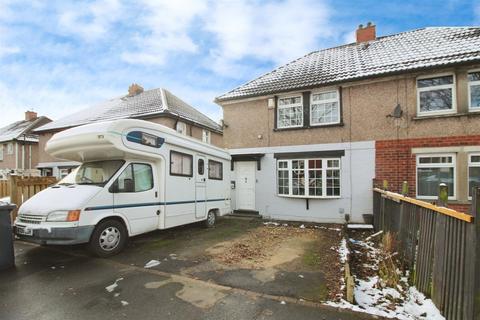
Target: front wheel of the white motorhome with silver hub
x: 108, y: 238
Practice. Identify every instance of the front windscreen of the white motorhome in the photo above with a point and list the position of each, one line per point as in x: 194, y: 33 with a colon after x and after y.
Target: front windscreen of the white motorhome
x: 97, y: 172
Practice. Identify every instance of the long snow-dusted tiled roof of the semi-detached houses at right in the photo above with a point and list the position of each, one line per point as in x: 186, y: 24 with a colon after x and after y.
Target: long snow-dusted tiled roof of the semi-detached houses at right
x: 402, y: 52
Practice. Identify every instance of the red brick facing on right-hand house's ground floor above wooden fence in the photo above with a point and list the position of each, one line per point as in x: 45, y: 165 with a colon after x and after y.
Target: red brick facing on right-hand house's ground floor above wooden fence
x: 395, y: 162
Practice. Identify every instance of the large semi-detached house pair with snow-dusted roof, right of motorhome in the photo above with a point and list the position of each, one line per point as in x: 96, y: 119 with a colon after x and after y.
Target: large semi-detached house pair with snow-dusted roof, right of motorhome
x: 308, y: 138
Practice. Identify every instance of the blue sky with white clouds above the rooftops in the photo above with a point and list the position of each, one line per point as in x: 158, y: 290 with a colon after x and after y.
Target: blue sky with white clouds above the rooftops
x: 57, y: 57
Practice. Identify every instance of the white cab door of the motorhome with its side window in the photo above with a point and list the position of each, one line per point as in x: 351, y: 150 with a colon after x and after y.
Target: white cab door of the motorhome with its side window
x: 135, y: 196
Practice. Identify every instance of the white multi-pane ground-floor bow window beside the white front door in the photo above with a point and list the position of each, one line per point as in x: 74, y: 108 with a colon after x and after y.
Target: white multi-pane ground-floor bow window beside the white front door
x: 309, y: 178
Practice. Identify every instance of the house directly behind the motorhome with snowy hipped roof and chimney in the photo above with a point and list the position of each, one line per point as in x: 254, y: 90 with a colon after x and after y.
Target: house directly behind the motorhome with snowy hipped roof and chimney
x: 156, y: 105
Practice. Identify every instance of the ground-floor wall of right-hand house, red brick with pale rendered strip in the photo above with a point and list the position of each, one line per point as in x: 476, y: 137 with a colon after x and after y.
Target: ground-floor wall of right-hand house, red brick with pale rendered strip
x: 396, y: 161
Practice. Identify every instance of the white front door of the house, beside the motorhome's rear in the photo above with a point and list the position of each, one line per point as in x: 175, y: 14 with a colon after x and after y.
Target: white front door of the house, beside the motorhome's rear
x: 245, y: 185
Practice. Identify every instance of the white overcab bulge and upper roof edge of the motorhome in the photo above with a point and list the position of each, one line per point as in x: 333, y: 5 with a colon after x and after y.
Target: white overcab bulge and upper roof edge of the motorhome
x: 106, y: 140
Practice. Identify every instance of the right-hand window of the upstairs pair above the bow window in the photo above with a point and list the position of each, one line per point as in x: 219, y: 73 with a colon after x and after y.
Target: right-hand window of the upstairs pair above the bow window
x: 324, y: 108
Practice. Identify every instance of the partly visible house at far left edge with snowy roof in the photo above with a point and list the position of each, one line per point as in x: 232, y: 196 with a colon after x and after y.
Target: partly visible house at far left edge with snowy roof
x: 19, y: 145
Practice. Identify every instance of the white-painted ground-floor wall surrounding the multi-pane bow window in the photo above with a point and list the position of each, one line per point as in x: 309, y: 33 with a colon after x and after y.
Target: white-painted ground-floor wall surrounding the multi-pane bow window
x: 357, y: 170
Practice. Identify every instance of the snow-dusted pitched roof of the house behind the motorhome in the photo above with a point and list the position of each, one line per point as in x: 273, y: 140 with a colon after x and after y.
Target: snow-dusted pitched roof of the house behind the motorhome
x: 148, y: 103
